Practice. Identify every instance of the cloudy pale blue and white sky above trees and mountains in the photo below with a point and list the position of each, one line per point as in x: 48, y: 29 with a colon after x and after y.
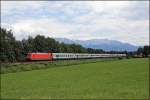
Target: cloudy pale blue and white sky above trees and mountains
x: 126, y: 21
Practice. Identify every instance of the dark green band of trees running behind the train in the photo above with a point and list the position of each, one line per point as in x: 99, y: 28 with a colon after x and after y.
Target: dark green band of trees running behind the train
x: 12, y: 50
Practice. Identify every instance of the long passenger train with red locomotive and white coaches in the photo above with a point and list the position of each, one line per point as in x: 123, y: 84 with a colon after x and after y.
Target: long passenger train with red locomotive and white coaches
x: 67, y: 56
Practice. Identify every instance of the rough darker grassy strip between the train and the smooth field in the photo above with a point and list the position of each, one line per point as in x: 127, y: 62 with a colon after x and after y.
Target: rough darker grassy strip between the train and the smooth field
x: 28, y: 66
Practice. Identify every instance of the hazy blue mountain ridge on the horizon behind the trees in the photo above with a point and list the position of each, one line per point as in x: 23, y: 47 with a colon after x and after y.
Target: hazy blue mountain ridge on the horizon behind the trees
x: 105, y: 44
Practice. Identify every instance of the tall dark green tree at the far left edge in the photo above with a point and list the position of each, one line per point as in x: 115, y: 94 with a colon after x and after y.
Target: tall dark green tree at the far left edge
x: 7, y: 46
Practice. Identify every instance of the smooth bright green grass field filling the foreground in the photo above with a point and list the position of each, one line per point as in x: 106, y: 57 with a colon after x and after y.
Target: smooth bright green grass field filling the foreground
x: 119, y: 79
